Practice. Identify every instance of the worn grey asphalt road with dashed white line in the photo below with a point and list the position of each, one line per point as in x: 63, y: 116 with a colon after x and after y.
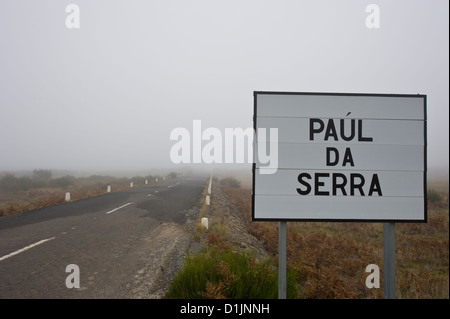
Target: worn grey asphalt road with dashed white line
x: 108, y: 237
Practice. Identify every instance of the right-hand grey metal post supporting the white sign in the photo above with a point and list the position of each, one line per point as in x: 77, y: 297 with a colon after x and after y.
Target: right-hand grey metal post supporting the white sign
x: 389, y: 260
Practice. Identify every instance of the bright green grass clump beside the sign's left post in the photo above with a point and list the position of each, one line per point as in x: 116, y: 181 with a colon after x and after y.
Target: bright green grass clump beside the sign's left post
x: 224, y: 274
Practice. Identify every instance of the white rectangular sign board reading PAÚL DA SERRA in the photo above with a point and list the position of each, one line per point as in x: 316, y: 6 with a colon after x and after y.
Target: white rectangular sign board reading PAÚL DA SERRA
x: 353, y: 157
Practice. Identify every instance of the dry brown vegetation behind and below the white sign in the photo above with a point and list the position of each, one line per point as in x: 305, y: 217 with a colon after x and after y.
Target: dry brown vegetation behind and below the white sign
x: 330, y: 258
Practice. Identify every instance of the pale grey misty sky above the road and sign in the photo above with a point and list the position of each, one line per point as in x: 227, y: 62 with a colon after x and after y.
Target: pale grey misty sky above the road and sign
x: 107, y: 95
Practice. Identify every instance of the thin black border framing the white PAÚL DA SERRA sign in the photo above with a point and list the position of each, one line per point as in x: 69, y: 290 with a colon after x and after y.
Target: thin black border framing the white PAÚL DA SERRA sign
x: 255, y: 117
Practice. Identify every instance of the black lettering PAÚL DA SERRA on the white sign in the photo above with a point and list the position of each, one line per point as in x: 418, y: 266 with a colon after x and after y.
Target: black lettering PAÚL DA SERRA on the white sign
x: 345, y: 184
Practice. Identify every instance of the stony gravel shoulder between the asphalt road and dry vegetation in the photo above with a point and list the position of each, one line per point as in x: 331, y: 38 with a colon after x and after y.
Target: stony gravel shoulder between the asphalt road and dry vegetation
x: 172, y: 242
